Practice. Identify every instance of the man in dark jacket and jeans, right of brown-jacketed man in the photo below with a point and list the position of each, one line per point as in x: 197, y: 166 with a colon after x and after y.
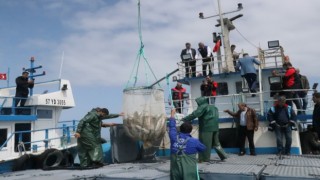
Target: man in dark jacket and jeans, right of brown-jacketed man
x: 281, y: 117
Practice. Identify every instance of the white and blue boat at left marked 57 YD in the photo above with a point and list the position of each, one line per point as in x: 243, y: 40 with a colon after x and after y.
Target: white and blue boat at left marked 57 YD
x: 36, y: 127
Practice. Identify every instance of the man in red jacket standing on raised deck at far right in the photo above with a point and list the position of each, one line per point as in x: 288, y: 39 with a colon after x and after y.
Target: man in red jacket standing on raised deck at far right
x: 291, y: 82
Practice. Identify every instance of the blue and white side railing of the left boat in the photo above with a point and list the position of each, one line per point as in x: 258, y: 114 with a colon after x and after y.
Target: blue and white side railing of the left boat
x: 65, y: 137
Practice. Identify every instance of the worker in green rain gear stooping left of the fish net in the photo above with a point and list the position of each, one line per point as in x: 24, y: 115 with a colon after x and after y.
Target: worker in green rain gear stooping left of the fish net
x: 89, y: 137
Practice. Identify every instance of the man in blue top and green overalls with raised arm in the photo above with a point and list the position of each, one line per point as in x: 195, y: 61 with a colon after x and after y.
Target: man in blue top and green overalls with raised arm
x: 183, y: 148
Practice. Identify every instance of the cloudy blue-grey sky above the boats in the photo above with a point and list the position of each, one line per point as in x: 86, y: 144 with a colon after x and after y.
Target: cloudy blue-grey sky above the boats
x: 97, y: 41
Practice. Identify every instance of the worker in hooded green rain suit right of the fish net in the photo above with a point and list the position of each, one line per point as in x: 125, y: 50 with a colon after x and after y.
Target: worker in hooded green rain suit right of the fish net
x: 208, y: 116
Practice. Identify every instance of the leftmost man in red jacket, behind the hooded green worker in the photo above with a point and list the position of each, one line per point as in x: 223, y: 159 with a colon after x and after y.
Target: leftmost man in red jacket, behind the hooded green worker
x: 177, y: 96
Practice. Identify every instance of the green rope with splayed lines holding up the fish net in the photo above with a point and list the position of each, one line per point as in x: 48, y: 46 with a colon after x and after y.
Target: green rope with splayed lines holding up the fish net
x: 140, y: 54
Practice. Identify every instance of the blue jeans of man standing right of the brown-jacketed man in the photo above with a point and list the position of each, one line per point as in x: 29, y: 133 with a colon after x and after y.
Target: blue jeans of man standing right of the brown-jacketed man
x: 287, y: 133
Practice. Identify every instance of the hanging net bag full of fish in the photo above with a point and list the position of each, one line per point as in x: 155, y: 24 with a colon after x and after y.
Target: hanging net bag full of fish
x: 144, y: 115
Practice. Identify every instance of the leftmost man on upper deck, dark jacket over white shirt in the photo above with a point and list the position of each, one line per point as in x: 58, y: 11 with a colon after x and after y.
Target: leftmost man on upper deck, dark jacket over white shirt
x: 188, y: 56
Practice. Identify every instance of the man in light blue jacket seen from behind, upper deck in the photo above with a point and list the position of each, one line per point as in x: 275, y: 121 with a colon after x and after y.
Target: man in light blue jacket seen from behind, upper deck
x: 248, y: 71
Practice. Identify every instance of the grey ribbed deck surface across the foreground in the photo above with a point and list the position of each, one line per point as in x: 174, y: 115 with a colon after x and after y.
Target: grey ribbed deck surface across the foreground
x: 235, y: 167
